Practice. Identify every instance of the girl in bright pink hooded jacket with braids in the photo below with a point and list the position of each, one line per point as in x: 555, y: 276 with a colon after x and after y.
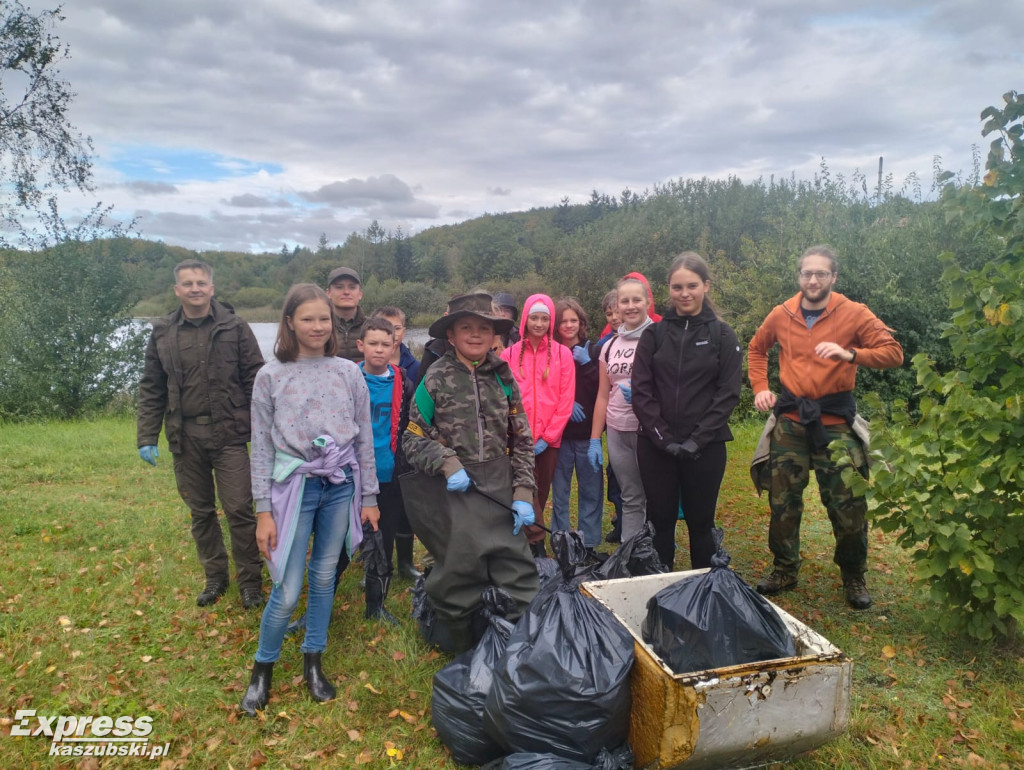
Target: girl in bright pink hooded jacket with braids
x: 546, y: 375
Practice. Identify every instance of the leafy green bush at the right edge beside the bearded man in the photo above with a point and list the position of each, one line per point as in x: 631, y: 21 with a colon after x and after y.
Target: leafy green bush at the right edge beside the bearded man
x: 952, y: 482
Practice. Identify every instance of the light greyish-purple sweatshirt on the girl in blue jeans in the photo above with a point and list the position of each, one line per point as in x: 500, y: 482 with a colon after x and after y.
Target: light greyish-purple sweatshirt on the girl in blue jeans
x: 293, y: 404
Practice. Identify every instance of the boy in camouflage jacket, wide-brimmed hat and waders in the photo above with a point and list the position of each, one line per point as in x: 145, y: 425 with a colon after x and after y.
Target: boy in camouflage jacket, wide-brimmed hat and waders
x: 467, y: 424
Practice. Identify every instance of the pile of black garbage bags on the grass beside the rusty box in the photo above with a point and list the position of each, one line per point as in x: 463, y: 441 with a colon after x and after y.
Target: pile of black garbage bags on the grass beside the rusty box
x: 550, y: 692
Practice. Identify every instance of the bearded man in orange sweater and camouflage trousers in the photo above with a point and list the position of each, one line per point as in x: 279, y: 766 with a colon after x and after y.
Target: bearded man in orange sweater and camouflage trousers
x: 823, y: 338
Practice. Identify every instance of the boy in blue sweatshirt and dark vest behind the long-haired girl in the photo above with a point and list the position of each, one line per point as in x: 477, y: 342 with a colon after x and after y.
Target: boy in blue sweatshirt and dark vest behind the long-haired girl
x: 391, y: 392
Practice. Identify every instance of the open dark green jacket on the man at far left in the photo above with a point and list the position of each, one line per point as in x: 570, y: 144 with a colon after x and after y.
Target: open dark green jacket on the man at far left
x: 234, y: 359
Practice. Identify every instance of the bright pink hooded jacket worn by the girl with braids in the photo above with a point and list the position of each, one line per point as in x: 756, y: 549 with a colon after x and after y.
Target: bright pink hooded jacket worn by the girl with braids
x: 548, y: 401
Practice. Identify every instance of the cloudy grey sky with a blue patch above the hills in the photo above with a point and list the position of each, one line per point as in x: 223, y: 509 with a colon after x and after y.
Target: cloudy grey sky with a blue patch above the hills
x: 222, y: 124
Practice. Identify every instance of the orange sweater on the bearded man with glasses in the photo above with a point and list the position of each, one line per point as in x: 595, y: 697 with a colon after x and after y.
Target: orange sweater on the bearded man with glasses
x: 847, y: 323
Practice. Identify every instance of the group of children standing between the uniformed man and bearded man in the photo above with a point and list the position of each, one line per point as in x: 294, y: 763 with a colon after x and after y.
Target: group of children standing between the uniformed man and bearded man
x: 490, y: 437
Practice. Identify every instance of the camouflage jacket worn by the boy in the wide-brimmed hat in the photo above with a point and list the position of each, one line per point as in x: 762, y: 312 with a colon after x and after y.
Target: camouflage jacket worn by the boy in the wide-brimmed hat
x: 472, y: 422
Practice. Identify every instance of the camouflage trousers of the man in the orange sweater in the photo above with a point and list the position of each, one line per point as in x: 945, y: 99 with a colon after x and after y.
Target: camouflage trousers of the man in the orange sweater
x: 791, y: 464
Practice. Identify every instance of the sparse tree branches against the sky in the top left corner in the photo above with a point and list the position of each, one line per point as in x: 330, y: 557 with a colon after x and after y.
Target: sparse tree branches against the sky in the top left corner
x: 40, y: 150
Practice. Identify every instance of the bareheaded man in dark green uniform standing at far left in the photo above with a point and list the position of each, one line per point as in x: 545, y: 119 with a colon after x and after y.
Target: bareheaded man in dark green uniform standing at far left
x: 198, y: 381
